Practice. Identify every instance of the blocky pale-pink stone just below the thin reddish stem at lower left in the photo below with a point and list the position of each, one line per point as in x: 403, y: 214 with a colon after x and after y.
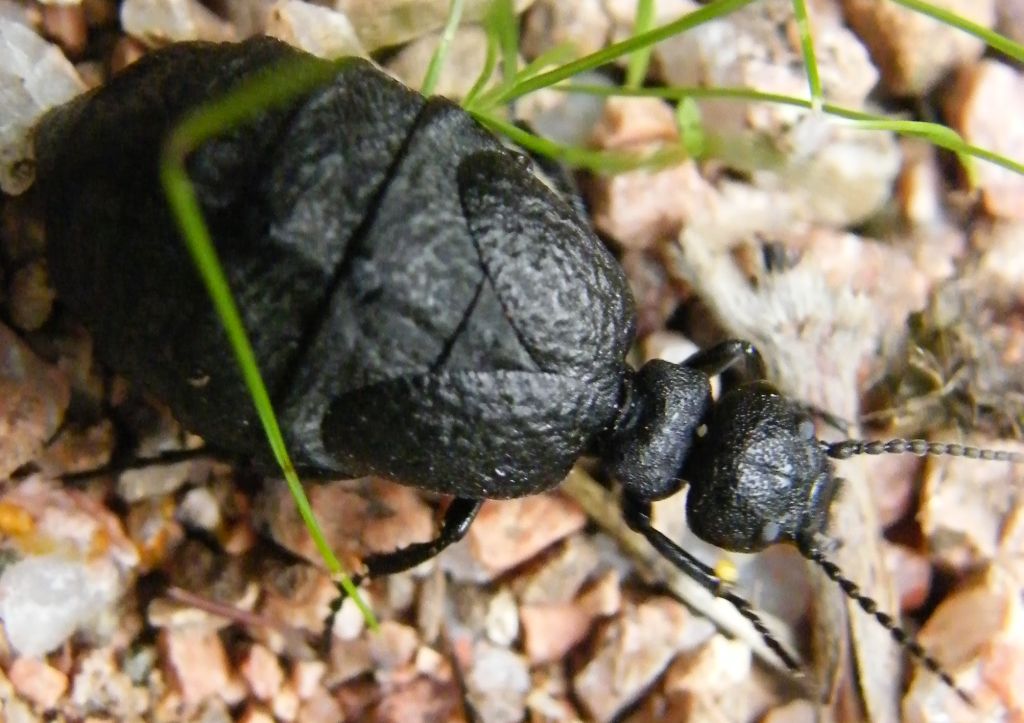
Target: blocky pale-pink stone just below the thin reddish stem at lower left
x: 197, y: 663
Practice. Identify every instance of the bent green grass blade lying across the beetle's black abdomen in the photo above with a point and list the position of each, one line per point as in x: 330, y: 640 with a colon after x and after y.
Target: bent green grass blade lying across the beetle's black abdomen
x: 275, y: 88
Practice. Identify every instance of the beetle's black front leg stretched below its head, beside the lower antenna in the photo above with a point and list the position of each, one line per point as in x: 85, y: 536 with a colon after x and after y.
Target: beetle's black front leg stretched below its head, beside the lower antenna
x: 637, y: 515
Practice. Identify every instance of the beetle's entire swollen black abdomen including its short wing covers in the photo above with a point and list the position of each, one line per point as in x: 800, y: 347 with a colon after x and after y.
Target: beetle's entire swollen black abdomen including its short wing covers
x: 379, y: 246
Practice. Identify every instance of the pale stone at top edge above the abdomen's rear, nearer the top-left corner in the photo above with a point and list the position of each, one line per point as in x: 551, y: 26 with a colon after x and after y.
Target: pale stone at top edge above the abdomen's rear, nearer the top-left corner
x: 160, y: 22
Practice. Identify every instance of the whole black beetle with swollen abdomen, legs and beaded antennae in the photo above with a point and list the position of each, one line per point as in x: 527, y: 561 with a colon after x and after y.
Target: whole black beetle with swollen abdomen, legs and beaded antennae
x: 423, y: 310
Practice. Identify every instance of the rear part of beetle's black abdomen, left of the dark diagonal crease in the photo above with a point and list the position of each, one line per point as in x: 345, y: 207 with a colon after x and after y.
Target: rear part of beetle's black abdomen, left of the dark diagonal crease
x: 283, y: 197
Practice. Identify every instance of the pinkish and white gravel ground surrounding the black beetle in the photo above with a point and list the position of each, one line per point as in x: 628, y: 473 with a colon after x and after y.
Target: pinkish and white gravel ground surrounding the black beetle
x: 882, y: 283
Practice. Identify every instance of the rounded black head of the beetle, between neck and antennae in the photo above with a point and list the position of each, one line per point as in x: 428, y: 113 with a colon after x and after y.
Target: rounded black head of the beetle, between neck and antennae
x: 757, y: 475
